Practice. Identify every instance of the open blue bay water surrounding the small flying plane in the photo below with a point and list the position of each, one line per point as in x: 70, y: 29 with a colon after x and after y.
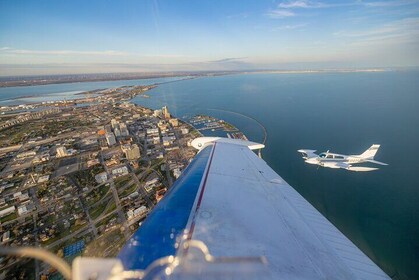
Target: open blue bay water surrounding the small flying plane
x: 340, y: 112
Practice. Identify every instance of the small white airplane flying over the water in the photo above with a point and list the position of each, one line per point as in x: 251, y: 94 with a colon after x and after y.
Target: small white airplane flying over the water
x: 333, y: 160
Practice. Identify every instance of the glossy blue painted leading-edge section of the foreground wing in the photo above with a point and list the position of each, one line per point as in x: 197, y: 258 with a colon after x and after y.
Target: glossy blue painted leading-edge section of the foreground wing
x: 156, y: 237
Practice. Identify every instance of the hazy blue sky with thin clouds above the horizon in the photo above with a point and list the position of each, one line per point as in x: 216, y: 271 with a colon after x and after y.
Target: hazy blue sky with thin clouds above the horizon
x: 118, y: 36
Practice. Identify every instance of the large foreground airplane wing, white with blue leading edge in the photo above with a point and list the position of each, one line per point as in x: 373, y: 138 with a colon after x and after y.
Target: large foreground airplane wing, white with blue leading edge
x: 231, y: 216
